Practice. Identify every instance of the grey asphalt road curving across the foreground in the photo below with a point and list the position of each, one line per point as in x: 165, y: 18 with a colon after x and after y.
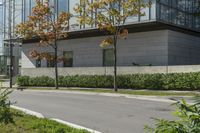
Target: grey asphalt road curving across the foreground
x: 101, y: 113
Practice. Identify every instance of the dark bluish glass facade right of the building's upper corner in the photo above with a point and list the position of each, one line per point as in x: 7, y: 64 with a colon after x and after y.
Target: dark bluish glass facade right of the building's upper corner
x: 183, y: 13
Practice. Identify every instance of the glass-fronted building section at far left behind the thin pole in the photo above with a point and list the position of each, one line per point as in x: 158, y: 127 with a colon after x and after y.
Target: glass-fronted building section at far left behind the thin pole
x: 4, y: 29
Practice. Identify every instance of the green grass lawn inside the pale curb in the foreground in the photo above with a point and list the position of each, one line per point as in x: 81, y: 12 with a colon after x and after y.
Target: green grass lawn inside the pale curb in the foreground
x: 30, y: 124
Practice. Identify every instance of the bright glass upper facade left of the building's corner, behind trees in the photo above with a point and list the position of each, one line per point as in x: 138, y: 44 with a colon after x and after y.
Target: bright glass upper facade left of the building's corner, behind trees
x: 22, y: 9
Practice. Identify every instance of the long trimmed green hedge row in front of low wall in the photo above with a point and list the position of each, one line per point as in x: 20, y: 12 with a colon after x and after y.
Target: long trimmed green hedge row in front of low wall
x: 180, y: 81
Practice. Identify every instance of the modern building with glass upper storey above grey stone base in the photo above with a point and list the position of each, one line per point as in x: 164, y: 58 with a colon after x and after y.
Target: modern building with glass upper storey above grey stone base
x: 169, y: 34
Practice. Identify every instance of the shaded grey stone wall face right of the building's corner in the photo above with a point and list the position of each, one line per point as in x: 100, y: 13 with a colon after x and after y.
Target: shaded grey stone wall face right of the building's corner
x: 183, y: 49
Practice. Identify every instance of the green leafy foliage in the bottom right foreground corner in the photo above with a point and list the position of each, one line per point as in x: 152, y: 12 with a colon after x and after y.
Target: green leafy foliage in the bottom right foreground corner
x: 189, y: 120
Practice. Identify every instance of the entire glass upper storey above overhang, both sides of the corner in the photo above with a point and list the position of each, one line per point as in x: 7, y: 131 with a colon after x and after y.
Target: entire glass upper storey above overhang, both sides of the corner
x: 177, y: 12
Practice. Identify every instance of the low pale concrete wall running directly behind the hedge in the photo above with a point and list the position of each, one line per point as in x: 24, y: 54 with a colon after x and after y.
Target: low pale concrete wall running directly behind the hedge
x: 34, y: 72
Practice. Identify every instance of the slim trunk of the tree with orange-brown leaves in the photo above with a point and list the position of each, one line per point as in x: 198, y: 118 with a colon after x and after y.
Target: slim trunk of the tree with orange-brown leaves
x: 56, y: 65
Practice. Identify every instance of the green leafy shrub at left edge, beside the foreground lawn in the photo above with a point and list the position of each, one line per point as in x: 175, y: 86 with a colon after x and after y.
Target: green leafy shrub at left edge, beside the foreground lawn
x: 6, y: 116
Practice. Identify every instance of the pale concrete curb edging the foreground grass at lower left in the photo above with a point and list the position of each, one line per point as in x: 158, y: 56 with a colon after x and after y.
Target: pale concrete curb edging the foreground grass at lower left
x: 39, y: 115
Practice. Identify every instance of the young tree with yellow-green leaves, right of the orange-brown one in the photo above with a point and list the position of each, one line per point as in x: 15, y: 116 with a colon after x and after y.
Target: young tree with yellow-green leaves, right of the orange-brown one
x: 110, y: 16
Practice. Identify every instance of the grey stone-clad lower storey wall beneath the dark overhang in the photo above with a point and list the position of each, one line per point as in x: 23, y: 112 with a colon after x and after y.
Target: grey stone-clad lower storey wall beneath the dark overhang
x: 159, y: 48
